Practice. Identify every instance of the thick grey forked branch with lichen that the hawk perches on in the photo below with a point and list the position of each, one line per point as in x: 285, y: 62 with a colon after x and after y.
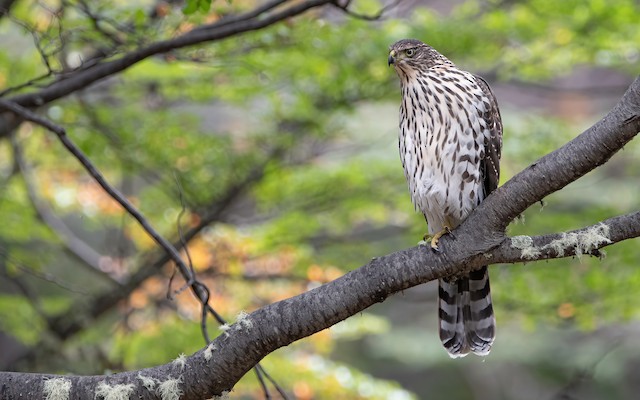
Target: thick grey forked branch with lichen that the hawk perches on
x: 479, y: 241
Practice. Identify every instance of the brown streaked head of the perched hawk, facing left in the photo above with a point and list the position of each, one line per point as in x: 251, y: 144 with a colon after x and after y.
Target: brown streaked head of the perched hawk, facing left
x: 413, y: 54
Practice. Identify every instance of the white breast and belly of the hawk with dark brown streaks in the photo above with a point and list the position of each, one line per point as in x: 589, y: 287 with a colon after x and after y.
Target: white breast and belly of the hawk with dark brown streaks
x: 442, y: 140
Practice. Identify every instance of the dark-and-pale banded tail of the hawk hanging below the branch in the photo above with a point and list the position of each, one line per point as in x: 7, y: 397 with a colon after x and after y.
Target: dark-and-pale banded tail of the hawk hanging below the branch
x: 466, y: 315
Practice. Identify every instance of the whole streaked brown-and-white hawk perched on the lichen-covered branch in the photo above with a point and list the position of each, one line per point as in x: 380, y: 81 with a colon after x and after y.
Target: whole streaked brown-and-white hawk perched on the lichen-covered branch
x: 450, y: 143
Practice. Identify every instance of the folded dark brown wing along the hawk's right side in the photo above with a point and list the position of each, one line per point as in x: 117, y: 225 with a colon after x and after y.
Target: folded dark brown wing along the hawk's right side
x: 490, y: 165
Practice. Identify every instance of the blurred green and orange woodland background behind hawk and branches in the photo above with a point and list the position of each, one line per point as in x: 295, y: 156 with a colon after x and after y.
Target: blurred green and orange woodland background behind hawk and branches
x: 275, y: 153
